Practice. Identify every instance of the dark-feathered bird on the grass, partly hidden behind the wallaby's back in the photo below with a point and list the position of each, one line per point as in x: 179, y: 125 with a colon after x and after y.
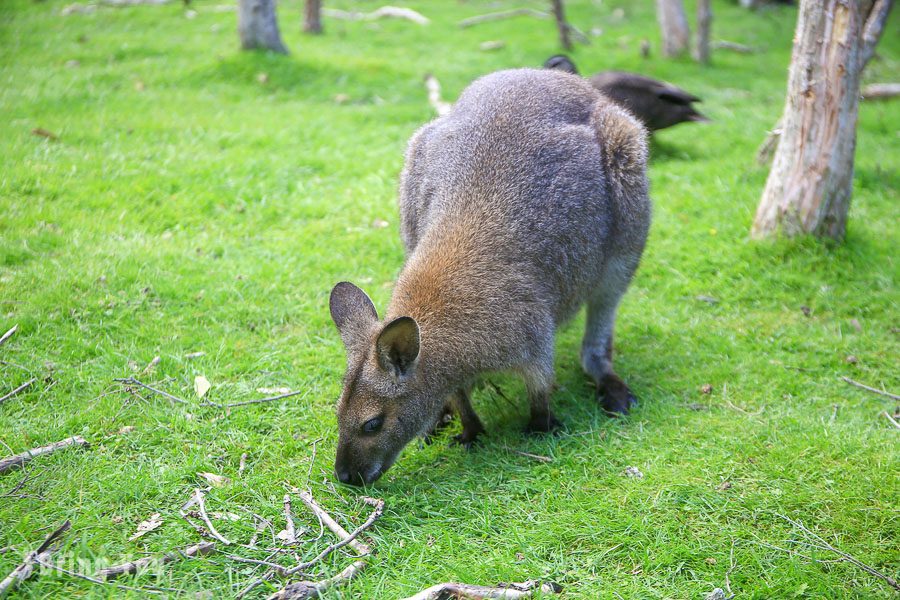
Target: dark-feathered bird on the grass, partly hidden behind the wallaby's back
x: 657, y: 104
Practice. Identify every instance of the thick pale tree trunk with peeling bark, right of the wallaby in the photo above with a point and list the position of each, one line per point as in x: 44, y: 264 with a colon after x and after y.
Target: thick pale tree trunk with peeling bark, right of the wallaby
x: 808, y: 189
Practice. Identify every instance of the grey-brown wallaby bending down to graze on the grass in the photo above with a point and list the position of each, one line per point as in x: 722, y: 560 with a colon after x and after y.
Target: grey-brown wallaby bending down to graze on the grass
x: 526, y: 201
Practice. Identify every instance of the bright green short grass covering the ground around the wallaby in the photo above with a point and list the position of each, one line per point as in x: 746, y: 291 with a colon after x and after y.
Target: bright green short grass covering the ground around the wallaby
x: 190, y: 206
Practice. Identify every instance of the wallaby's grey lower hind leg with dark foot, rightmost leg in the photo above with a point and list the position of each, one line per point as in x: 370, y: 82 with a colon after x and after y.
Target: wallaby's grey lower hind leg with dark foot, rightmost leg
x: 596, y: 351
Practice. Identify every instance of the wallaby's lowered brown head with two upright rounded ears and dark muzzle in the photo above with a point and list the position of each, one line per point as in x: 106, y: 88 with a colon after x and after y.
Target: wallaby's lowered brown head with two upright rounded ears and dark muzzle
x: 380, y: 408
